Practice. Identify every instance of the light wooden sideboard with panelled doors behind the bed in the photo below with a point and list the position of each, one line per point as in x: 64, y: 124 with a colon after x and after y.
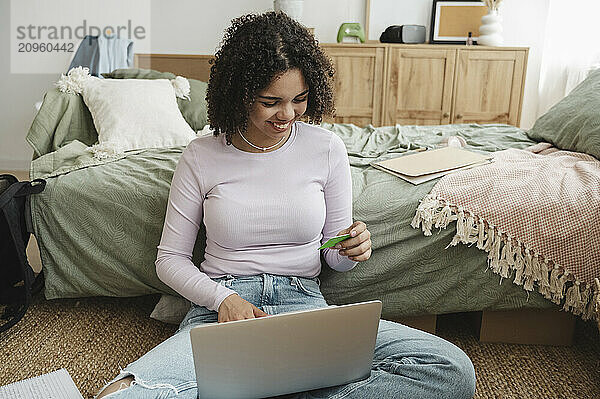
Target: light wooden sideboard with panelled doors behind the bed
x: 387, y: 84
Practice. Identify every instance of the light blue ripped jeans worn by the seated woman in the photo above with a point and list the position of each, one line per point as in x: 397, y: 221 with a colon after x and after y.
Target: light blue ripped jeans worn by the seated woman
x: 407, y: 363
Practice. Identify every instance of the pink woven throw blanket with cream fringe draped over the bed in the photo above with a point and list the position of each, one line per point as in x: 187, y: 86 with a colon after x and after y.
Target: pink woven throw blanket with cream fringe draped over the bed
x: 537, y: 214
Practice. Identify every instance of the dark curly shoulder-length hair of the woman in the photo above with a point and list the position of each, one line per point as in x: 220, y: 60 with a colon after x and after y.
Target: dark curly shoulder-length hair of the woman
x: 255, y: 49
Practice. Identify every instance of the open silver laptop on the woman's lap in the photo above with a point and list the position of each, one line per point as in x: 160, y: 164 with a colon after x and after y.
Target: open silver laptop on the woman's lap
x: 285, y: 353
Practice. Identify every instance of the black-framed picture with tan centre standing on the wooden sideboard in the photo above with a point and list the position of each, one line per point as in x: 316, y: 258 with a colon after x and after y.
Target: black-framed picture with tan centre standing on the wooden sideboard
x: 451, y: 21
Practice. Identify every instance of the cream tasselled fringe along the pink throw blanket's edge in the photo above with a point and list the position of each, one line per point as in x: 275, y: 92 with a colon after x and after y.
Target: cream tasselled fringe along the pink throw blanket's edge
x: 507, y: 254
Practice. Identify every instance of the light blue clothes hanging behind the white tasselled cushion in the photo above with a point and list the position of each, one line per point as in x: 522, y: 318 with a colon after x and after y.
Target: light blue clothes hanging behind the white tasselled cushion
x: 103, y: 54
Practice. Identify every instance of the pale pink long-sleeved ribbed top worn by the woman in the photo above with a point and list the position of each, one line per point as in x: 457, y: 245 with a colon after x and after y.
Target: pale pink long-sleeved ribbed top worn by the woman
x: 263, y: 212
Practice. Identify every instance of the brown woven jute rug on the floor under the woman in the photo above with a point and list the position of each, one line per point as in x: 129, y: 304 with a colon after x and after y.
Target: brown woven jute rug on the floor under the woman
x: 94, y: 337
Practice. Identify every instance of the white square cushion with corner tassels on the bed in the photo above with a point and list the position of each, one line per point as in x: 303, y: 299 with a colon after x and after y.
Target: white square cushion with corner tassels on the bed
x: 133, y: 114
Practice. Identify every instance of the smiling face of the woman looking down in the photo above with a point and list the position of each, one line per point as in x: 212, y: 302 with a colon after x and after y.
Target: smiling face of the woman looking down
x: 276, y: 108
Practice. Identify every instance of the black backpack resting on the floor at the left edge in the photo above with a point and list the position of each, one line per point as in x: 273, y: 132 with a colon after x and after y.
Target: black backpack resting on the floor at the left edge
x: 17, y: 280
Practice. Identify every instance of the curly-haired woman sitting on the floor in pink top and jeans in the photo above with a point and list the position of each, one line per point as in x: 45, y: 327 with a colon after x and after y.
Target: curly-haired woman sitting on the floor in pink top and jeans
x: 270, y: 189
